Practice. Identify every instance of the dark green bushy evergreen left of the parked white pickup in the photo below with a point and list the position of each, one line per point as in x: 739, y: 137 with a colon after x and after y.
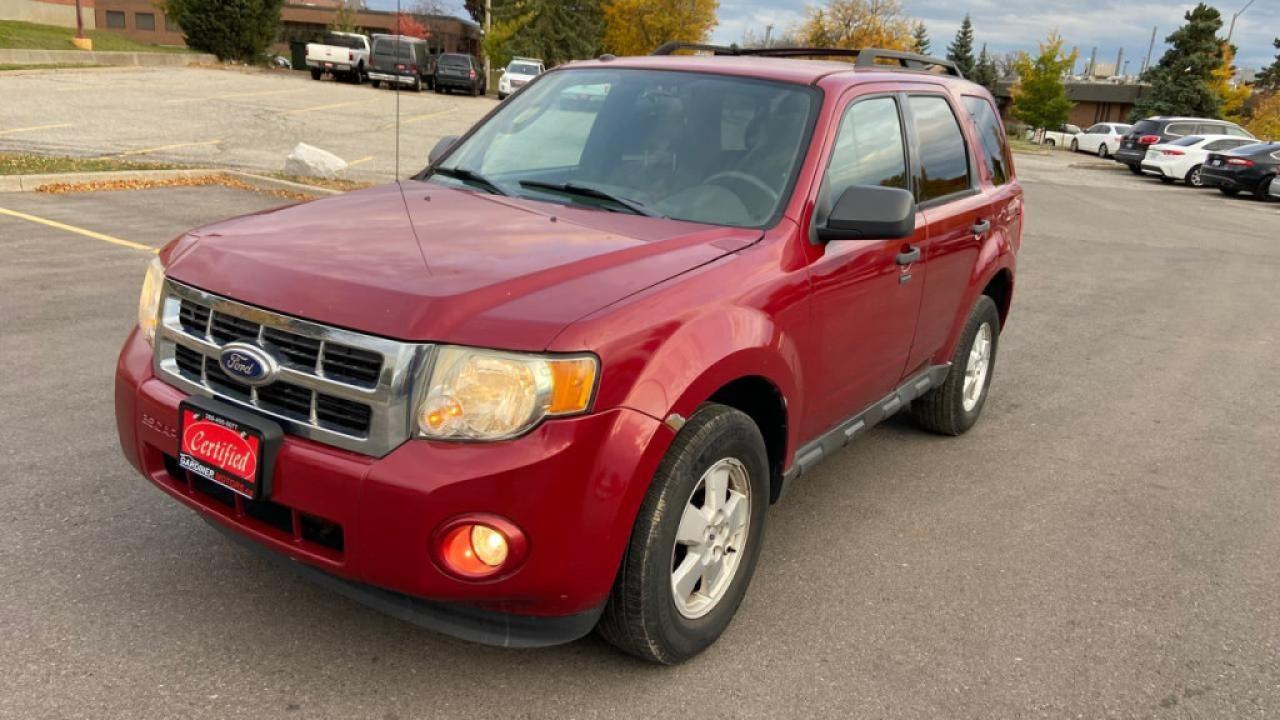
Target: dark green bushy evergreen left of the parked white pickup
x: 232, y: 30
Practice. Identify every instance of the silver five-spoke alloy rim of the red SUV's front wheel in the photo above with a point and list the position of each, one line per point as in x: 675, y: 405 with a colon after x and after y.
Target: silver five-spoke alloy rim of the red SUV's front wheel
x: 711, y: 539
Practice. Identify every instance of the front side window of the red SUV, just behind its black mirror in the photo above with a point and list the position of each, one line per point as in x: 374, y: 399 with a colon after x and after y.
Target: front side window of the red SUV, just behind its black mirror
x: 870, y: 151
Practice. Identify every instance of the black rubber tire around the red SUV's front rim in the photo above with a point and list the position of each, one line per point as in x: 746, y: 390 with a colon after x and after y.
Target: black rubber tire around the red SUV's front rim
x: 642, y: 617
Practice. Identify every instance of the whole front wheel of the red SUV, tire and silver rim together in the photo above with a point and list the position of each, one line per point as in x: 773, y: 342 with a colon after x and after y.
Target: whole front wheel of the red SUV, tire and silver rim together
x: 696, y: 541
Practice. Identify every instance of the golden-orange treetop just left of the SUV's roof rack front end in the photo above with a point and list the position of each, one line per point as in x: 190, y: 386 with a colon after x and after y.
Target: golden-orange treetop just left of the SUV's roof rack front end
x: 637, y: 28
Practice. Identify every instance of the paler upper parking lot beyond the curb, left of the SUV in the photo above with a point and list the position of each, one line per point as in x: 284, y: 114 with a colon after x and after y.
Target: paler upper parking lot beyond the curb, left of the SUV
x: 246, y: 120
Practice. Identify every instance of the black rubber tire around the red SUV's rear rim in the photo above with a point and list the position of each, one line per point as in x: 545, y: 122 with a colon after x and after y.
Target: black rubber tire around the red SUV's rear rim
x: 941, y: 411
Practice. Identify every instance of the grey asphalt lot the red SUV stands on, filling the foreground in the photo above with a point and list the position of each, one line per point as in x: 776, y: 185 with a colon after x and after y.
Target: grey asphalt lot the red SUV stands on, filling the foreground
x: 1103, y: 545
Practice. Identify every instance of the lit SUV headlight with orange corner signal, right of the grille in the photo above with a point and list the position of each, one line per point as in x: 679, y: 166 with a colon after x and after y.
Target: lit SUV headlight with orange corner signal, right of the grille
x: 492, y: 395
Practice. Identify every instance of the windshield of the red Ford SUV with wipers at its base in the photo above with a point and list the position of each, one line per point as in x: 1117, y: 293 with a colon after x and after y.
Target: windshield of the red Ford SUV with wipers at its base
x: 693, y: 147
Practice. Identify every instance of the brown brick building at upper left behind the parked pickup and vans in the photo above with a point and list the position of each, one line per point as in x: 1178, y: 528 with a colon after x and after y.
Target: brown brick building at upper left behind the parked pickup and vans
x: 300, y: 22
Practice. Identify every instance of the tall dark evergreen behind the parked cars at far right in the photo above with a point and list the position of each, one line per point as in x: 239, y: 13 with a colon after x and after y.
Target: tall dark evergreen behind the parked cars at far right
x: 1182, y: 83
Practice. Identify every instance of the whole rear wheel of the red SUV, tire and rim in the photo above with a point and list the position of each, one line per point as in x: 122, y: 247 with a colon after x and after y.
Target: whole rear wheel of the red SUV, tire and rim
x: 954, y: 407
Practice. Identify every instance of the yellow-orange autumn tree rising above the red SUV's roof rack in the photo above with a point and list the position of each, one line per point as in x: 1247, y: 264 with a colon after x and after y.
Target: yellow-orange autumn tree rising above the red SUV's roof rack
x: 858, y: 24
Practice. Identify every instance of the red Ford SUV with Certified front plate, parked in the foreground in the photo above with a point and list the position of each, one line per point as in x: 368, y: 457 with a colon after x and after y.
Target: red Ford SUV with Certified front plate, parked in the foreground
x: 555, y: 381
